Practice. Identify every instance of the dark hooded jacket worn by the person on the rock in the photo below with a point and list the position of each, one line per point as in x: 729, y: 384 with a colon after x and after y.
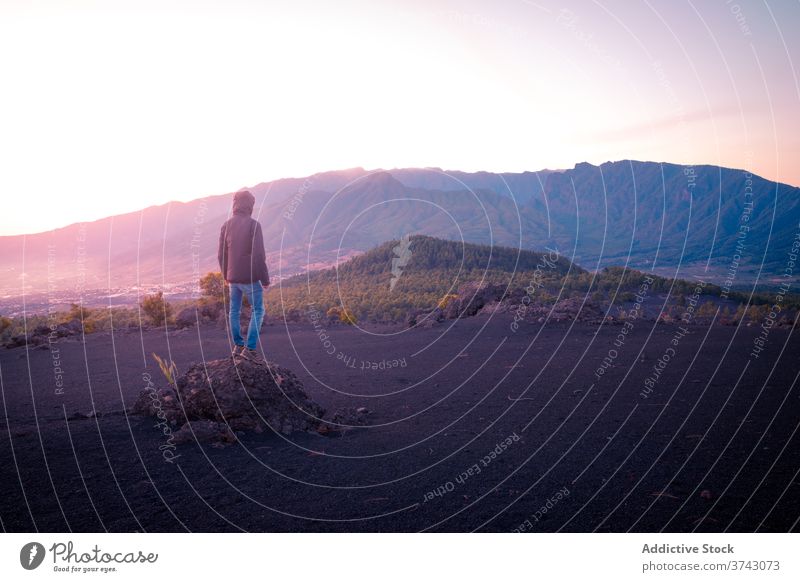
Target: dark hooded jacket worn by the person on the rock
x: 241, y: 254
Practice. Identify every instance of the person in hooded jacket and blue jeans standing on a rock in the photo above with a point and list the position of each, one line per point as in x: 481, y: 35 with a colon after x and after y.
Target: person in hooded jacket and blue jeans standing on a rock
x: 243, y: 264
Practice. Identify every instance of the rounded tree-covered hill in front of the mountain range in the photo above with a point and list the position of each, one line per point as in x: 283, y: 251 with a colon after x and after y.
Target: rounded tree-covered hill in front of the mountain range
x: 417, y: 272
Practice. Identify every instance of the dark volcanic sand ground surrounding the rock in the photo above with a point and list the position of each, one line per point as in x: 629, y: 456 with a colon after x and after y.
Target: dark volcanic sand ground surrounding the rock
x: 473, y: 426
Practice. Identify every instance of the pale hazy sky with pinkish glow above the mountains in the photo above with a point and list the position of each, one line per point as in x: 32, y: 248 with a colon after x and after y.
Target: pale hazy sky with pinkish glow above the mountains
x: 108, y: 107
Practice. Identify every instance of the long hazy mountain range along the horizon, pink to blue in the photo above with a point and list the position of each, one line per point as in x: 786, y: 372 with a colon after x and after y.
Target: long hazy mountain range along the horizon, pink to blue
x: 676, y: 220
